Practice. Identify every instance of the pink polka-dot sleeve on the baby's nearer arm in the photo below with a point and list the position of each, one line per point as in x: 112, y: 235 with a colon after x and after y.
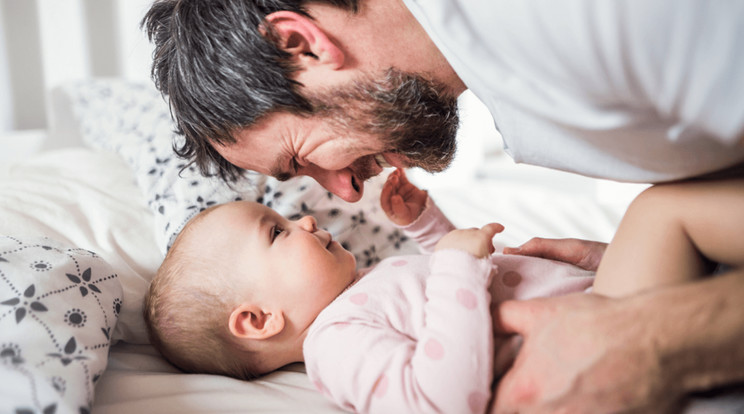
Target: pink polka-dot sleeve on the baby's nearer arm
x: 458, y: 339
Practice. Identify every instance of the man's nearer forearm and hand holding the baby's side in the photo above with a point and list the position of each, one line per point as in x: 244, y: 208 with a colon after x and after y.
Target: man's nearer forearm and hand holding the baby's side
x: 587, y: 353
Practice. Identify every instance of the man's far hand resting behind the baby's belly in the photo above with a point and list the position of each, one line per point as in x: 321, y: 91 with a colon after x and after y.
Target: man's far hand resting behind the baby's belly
x: 582, y: 253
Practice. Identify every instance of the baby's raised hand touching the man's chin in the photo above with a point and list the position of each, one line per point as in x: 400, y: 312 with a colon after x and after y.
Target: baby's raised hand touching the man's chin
x: 402, y: 201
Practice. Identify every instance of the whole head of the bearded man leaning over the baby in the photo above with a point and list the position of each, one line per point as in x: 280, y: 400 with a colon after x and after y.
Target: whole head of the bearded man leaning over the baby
x: 262, y: 85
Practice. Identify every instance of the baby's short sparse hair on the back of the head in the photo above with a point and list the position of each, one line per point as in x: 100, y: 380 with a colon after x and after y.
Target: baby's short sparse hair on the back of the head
x: 187, y: 309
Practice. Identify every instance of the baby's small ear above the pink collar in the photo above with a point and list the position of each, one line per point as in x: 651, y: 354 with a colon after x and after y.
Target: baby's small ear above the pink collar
x: 249, y: 321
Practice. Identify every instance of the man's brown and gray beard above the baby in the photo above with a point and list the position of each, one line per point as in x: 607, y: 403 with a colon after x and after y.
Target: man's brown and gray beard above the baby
x: 411, y: 115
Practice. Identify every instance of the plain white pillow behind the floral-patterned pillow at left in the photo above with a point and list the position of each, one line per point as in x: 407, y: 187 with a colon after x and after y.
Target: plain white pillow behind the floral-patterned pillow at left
x: 87, y: 199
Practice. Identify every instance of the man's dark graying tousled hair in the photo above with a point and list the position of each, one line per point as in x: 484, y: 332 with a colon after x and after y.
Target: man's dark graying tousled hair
x: 221, y: 69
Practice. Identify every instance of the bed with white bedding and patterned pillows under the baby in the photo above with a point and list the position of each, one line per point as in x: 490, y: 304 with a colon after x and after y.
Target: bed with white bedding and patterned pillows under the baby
x: 86, y: 217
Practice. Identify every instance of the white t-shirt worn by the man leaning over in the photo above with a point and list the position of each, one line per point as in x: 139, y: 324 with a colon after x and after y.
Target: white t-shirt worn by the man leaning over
x: 630, y: 90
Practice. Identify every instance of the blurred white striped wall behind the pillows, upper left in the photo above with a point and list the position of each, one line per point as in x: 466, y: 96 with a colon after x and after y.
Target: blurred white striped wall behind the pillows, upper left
x: 44, y: 43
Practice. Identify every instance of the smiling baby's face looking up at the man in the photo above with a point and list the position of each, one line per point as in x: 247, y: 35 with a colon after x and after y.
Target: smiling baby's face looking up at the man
x: 291, y: 263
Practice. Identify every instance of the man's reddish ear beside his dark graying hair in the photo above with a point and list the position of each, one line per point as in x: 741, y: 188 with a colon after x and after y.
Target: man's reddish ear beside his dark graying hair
x: 300, y: 36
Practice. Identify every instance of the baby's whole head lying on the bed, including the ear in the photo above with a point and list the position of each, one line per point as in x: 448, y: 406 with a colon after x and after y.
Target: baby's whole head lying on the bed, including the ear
x: 239, y: 288
